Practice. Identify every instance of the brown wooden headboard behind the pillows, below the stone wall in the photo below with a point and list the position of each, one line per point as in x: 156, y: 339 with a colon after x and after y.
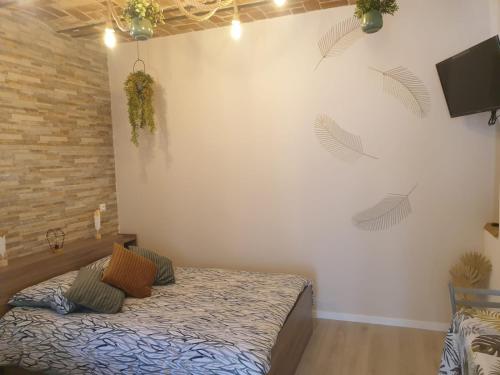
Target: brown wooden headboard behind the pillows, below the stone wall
x: 29, y: 270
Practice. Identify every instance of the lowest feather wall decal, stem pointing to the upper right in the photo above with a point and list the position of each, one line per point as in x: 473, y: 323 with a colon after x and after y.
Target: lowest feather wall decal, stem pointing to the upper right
x: 391, y: 210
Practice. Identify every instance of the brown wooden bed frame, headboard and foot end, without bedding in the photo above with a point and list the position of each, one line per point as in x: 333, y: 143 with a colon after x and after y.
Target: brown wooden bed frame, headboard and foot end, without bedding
x: 23, y: 272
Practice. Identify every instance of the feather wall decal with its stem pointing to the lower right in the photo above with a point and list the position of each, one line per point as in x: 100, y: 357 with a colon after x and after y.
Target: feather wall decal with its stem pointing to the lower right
x: 339, y: 142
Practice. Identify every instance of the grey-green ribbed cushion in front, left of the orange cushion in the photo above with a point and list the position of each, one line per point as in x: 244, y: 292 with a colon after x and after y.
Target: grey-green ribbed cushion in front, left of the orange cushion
x: 89, y: 291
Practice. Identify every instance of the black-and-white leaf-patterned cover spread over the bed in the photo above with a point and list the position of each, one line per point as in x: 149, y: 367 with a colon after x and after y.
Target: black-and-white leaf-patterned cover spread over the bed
x: 210, y: 322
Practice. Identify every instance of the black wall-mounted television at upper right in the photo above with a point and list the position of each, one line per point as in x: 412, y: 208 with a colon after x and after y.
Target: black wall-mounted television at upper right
x: 471, y: 79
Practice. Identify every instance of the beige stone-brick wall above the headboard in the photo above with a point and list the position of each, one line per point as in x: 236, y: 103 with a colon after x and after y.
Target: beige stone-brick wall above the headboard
x: 56, y: 146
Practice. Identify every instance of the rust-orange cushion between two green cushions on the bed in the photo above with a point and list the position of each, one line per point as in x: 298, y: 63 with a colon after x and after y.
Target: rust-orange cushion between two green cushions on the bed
x: 130, y: 272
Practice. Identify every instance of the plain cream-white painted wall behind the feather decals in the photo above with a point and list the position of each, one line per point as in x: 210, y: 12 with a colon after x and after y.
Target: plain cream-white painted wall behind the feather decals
x: 235, y: 176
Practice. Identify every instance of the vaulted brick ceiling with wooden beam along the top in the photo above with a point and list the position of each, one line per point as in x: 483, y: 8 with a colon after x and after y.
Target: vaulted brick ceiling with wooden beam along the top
x: 87, y: 18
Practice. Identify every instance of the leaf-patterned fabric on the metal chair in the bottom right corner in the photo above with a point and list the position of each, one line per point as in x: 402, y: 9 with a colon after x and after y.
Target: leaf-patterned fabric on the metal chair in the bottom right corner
x: 472, y: 346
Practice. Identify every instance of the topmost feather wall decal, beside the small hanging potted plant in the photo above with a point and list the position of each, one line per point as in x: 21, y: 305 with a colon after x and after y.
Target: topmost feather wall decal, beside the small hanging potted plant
x: 340, y: 37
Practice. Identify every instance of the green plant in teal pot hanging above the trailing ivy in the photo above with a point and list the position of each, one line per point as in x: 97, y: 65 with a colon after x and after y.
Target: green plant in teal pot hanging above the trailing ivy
x: 142, y: 16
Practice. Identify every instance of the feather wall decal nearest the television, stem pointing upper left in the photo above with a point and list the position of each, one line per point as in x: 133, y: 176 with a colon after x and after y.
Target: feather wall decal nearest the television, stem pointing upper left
x: 408, y: 88
